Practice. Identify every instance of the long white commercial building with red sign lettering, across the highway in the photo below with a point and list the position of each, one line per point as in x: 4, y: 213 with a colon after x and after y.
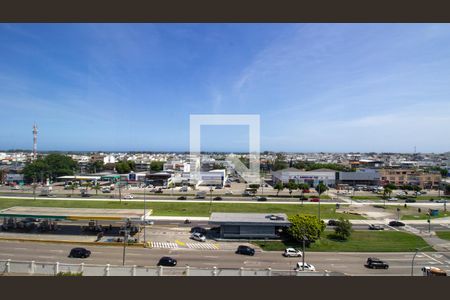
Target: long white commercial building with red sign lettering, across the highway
x: 313, y: 177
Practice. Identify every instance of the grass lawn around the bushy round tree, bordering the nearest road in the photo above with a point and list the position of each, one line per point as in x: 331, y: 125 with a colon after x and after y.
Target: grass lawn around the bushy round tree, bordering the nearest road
x: 360, y: 241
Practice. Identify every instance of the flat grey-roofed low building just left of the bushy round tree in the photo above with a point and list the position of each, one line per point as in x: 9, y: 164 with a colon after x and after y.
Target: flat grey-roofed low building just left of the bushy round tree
x: 249, y: 225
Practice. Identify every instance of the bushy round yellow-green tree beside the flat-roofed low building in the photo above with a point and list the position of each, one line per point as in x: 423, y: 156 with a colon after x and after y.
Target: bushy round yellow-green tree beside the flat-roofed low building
x: 305, y: 225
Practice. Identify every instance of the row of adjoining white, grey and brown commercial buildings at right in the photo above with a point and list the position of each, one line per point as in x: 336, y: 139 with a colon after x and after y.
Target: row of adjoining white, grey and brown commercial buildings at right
x: 371, y: 177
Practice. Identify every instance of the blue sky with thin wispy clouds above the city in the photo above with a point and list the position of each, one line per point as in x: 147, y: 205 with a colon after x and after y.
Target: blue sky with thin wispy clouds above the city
x: 316, y: 87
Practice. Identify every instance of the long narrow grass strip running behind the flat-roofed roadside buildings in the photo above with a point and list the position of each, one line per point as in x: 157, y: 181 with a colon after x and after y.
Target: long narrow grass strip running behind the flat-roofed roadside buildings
x: 186, y: 209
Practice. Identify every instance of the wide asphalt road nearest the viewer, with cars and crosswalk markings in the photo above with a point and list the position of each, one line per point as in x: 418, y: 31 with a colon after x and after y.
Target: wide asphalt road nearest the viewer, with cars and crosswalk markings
x: 346, y: 263
